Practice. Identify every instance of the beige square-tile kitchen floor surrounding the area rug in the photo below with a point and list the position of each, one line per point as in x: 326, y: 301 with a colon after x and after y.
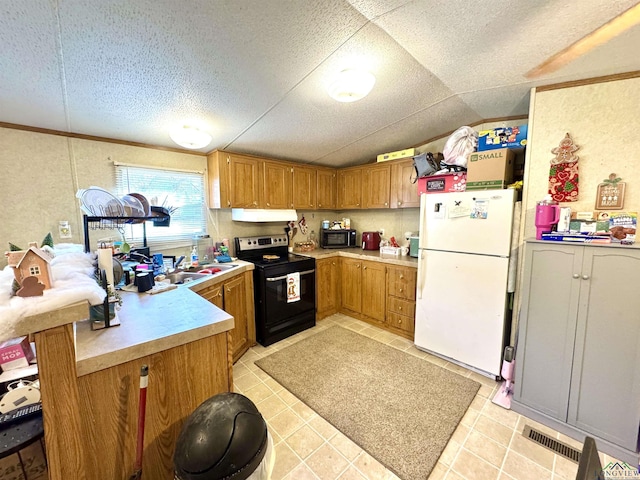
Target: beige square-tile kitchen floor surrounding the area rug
x: 486, y: 445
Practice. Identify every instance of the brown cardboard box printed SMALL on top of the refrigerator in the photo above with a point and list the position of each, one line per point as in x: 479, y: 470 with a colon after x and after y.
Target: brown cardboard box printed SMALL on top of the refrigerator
x: 490, y: 169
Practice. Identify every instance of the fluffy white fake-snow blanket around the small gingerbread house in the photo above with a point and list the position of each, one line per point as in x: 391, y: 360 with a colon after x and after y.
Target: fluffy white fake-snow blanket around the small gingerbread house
x: 73, y: 281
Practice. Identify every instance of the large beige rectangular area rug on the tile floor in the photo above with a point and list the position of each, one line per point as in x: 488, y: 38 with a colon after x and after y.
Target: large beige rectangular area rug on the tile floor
x: 401, y: 409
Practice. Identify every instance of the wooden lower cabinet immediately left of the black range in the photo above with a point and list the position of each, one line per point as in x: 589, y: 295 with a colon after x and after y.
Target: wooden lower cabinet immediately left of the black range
x: 235, y: 296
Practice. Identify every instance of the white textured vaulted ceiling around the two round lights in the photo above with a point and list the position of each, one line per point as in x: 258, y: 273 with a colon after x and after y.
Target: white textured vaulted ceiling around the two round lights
x: 254, y: 73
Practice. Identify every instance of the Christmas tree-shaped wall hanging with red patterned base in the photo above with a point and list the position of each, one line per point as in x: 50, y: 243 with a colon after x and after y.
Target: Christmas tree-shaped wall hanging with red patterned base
x: 563, y: 174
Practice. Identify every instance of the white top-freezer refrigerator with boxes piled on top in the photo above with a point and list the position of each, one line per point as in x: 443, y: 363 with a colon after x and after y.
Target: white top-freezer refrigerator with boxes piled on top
x: 463, y: 271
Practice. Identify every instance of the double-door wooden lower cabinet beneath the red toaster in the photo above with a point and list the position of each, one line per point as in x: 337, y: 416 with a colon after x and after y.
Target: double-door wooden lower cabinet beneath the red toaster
x: 363, y: 289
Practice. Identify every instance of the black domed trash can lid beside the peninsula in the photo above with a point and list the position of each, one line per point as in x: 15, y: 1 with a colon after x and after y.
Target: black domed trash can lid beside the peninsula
x: 224, y: 438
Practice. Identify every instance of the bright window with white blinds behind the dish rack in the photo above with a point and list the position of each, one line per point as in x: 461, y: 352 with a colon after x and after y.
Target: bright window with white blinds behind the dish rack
x: 182, y: 192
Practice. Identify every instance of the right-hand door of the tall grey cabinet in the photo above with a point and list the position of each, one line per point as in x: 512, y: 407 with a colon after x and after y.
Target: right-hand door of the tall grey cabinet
x: 605, y: 393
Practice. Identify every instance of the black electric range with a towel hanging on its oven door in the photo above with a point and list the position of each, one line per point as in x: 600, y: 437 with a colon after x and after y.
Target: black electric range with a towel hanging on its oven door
x: 284, y: 287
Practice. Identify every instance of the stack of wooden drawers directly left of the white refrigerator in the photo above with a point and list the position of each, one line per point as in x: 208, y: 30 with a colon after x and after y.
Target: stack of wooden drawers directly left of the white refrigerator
x: 401, y: 300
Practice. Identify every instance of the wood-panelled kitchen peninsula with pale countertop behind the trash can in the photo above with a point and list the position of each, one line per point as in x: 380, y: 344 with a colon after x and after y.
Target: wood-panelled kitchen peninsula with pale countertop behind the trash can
x: 90, y: 380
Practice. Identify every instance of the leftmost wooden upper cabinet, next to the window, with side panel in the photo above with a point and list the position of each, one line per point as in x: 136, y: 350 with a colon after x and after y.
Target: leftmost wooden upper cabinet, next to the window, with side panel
x: 233, y: 180
